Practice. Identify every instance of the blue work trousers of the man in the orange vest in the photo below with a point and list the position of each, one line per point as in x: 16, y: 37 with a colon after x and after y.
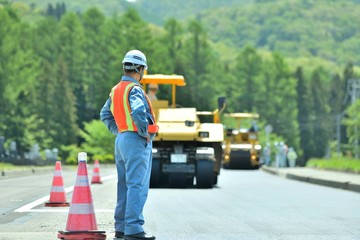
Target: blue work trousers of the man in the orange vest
x: 133, y: 156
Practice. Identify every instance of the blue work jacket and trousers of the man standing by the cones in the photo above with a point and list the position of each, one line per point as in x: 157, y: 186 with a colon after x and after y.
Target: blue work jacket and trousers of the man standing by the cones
x: 133, y: 157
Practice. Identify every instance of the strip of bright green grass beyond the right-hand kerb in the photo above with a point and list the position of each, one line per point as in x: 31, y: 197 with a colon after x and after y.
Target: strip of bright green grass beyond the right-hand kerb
x: 339, y: 164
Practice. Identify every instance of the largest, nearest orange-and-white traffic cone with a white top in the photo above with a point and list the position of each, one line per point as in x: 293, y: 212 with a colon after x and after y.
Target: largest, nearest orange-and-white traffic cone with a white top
x: 81, y: 222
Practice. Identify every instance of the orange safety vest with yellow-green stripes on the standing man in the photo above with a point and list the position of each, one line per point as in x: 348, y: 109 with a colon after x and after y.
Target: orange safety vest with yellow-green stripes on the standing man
x: 121, y: 110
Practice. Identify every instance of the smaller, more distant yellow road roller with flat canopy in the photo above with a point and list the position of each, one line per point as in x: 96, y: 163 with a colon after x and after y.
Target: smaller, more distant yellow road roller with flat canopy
x: 242, y: 148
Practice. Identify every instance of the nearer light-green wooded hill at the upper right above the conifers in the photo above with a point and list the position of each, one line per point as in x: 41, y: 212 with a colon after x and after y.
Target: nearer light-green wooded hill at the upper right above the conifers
x: 295, y: 28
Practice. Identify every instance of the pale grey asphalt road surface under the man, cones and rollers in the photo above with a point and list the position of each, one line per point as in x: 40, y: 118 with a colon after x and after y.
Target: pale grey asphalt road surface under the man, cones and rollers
x: 245, y: 205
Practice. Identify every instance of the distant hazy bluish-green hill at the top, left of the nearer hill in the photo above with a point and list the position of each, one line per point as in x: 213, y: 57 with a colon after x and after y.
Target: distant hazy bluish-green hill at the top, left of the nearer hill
x: 154, y: 11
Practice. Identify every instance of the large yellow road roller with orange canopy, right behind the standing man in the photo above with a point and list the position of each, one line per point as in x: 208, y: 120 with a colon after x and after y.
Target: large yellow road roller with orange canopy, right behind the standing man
x: 184, y: 149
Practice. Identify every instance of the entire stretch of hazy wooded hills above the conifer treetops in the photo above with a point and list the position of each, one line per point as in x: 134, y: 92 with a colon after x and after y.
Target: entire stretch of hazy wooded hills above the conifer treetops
x: 326, y: 29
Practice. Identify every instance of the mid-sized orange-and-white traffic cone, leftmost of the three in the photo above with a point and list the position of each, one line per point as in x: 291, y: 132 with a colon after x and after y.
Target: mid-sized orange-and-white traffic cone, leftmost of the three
x: 57, y: 195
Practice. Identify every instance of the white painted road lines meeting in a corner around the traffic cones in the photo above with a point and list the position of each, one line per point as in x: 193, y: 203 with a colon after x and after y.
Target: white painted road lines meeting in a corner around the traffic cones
x: 29, y: 207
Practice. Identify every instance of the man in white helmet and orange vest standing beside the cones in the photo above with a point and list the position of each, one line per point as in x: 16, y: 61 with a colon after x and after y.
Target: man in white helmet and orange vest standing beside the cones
x: 128, y: 114
